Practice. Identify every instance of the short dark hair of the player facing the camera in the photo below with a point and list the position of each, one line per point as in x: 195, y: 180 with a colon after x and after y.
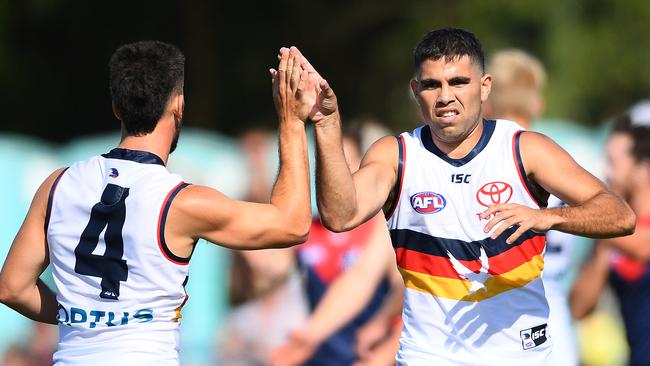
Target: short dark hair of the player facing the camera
x: 450, y: 43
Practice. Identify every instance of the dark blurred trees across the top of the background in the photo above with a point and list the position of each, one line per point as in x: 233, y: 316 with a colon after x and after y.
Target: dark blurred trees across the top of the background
x: 53, y: 55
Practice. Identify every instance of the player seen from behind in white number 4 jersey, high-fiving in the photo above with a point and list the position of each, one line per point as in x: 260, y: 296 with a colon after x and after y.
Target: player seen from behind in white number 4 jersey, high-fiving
x: 119, y: 229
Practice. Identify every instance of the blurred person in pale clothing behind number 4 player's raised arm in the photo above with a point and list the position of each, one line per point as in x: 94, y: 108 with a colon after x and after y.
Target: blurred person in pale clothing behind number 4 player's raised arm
x: 265, y: 286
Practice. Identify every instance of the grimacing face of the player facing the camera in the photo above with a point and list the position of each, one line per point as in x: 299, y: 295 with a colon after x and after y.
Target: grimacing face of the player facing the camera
x: 450, y: 94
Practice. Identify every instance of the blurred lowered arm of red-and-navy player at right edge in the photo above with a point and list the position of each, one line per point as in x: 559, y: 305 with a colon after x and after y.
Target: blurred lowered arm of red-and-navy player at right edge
x: 590, y: 283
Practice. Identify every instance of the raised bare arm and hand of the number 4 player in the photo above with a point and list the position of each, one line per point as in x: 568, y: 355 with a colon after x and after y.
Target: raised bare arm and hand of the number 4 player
x: 285, y: 221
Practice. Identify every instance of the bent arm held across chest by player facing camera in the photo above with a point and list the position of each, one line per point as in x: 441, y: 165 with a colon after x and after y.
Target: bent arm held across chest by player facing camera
x: 594, y: 211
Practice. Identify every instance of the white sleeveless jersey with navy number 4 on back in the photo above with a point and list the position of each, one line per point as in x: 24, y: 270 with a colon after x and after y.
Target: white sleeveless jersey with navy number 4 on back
x: 119, y: 288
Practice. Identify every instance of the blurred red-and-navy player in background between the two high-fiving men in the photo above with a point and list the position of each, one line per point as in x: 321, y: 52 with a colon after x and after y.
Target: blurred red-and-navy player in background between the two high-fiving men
x: 347, y: 283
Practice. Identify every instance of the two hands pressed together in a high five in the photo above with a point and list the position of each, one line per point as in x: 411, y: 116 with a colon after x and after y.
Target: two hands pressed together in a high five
x: 299, y: 91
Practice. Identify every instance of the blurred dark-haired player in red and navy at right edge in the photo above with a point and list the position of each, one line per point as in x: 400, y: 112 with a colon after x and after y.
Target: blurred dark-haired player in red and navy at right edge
x: 625, y: 261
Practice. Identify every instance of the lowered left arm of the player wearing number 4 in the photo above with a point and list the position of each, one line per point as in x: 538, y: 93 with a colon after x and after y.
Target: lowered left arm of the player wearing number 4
x: 20, y: 286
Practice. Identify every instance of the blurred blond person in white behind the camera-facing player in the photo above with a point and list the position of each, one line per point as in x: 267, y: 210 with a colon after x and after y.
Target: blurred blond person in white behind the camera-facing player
x: 517, y: 95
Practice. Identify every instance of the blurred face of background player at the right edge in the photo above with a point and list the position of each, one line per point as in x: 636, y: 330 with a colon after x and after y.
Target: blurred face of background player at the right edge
x: 620, y: 163
